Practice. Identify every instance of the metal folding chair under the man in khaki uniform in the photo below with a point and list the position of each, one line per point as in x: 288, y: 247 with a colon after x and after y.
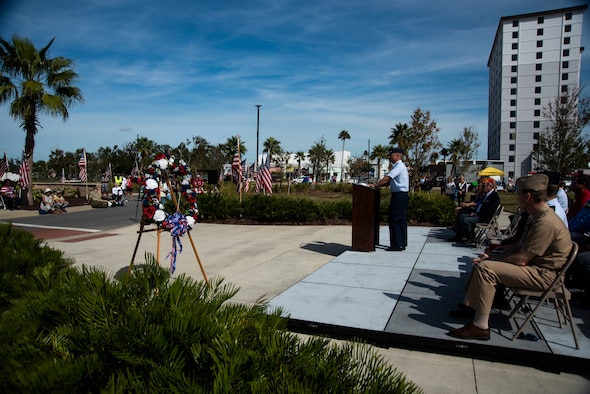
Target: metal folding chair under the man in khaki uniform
x: 557, y: 293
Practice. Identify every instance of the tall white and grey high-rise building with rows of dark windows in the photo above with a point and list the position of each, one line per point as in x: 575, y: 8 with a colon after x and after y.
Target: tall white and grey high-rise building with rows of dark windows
x: 535, y: 59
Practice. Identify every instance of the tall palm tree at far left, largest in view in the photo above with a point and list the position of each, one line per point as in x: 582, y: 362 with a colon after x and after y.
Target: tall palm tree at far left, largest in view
x: 38, y: 84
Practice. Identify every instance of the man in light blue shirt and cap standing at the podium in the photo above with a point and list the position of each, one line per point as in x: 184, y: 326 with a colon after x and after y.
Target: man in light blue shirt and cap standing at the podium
x: 398, y: 181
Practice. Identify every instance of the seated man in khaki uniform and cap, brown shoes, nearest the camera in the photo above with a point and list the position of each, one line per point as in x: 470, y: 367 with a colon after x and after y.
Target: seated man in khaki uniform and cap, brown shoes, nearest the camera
x: 531, y: 263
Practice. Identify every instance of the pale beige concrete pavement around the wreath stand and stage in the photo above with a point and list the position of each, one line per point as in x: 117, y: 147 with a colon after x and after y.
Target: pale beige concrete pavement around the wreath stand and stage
x: 264, y: 261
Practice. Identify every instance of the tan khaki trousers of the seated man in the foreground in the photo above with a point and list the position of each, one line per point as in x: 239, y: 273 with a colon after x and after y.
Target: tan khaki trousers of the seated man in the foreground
x: 480, y: 288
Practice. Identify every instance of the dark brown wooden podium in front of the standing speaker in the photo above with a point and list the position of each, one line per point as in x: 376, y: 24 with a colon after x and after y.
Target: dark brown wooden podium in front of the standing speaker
x: 365, y: 218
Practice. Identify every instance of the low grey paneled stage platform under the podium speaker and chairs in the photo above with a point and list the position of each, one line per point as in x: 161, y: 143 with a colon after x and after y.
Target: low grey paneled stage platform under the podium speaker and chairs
x: 402, y: 299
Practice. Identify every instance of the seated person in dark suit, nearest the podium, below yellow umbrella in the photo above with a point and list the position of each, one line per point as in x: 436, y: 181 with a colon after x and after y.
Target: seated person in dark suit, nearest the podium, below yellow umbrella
x: 465, y: 223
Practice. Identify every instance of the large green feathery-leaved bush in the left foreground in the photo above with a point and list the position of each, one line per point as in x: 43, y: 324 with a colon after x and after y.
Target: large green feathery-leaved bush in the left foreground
x: 81, y: 330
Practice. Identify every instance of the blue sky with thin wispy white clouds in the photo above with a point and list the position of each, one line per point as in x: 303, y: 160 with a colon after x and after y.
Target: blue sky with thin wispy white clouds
x: 176, y: 69
